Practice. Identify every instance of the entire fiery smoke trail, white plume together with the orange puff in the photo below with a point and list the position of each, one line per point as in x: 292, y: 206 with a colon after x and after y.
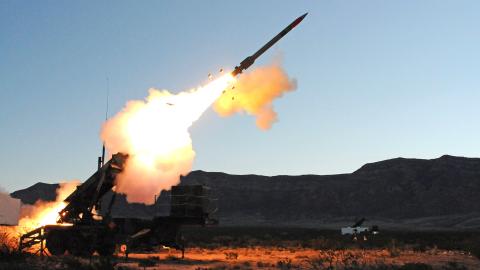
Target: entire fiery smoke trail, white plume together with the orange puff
x: 154, y: 132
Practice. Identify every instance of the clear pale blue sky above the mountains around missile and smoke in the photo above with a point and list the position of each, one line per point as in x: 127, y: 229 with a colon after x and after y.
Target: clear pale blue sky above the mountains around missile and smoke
x: 376, y: 80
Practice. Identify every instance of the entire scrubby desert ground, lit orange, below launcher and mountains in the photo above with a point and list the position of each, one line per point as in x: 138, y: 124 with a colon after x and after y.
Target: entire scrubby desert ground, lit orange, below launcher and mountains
x: 281, y: 248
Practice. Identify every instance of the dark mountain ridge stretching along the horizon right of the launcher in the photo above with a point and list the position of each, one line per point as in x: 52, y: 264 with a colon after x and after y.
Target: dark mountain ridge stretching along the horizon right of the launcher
x: 439, y: 193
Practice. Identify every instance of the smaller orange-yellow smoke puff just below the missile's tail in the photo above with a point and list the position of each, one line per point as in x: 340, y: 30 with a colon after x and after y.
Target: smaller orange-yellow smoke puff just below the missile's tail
x: 254, y: 93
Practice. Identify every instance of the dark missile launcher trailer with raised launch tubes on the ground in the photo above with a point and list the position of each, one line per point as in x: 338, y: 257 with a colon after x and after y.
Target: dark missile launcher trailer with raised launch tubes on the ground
x: 80, y: 231
